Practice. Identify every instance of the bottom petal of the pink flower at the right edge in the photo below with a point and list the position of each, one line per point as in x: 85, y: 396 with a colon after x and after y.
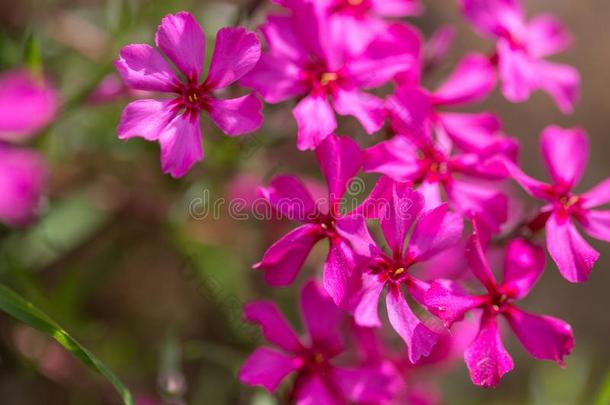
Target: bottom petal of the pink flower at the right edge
x: 572, y: 254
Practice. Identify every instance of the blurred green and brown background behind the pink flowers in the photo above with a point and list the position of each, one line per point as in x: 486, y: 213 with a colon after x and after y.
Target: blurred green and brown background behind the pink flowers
x: 126, y: 259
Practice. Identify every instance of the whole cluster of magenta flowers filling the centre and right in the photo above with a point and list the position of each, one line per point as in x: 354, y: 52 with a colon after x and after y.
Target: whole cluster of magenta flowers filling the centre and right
x: 443, y: 197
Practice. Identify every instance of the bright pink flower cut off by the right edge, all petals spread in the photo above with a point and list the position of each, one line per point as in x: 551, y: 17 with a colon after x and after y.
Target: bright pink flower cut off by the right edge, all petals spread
x: 565, y: 154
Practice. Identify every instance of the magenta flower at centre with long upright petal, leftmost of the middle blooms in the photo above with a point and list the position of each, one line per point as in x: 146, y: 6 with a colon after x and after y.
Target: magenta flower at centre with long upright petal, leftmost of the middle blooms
x: 339, y: 158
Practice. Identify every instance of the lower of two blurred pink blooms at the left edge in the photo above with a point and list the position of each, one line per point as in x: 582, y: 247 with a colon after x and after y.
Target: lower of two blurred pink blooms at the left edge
x: 22, y: 177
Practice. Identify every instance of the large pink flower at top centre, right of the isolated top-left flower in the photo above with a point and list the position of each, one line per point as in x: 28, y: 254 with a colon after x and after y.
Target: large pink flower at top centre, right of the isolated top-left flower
x: 305, y: 60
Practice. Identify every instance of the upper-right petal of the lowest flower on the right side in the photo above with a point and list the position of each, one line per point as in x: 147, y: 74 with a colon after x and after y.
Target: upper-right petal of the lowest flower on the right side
x: 523, y: 265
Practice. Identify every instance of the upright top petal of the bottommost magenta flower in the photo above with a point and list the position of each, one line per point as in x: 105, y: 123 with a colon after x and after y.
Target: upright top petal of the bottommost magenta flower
x: 322, y: 319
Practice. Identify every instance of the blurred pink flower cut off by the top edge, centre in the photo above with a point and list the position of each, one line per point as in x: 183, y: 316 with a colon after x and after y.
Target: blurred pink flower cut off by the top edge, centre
x: 358, y: 22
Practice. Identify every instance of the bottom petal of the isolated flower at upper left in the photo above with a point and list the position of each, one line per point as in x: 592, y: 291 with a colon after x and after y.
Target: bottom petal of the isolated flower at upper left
x: 181, y: 145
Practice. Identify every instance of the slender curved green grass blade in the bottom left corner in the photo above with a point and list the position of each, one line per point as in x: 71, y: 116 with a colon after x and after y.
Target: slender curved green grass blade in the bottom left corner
x: 24, y: 311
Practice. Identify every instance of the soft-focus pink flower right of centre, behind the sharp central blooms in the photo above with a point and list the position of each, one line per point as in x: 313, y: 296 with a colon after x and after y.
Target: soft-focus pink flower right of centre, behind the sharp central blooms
x: 416, y: 155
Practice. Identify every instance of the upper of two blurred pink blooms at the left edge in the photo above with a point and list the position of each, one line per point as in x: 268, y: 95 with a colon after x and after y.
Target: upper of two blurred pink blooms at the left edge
x: 26, y: 105
